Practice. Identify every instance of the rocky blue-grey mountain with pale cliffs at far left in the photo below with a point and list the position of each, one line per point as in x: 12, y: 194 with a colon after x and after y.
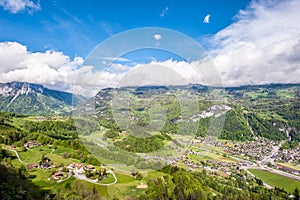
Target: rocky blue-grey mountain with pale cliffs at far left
x: 35, y: 99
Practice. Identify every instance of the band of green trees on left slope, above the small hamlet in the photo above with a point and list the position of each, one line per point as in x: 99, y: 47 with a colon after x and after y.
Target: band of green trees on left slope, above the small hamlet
x: 56, y: 133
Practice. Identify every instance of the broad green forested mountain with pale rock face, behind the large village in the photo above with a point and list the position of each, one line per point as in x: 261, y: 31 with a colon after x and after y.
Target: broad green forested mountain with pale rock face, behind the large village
x: 270, y: 111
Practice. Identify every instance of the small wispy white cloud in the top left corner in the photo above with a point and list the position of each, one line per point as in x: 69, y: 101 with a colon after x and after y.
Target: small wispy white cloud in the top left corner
x: 15, y: 6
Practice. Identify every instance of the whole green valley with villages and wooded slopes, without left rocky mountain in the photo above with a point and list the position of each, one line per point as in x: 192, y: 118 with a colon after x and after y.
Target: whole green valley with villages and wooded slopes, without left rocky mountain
x: 125, y: 152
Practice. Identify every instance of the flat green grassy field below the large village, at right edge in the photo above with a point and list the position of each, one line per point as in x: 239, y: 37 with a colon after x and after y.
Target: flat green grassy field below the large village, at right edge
x: 276, y: 180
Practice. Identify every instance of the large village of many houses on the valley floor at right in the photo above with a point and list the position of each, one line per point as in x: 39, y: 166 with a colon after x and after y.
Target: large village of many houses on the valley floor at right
x: 231, y: 157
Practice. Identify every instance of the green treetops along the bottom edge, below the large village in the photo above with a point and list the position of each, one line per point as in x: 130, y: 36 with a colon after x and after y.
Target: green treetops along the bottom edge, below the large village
x: 184, y: 185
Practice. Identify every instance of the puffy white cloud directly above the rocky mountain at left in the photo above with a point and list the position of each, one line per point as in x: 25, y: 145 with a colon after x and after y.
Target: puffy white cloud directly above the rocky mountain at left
x: 50, y: 68
